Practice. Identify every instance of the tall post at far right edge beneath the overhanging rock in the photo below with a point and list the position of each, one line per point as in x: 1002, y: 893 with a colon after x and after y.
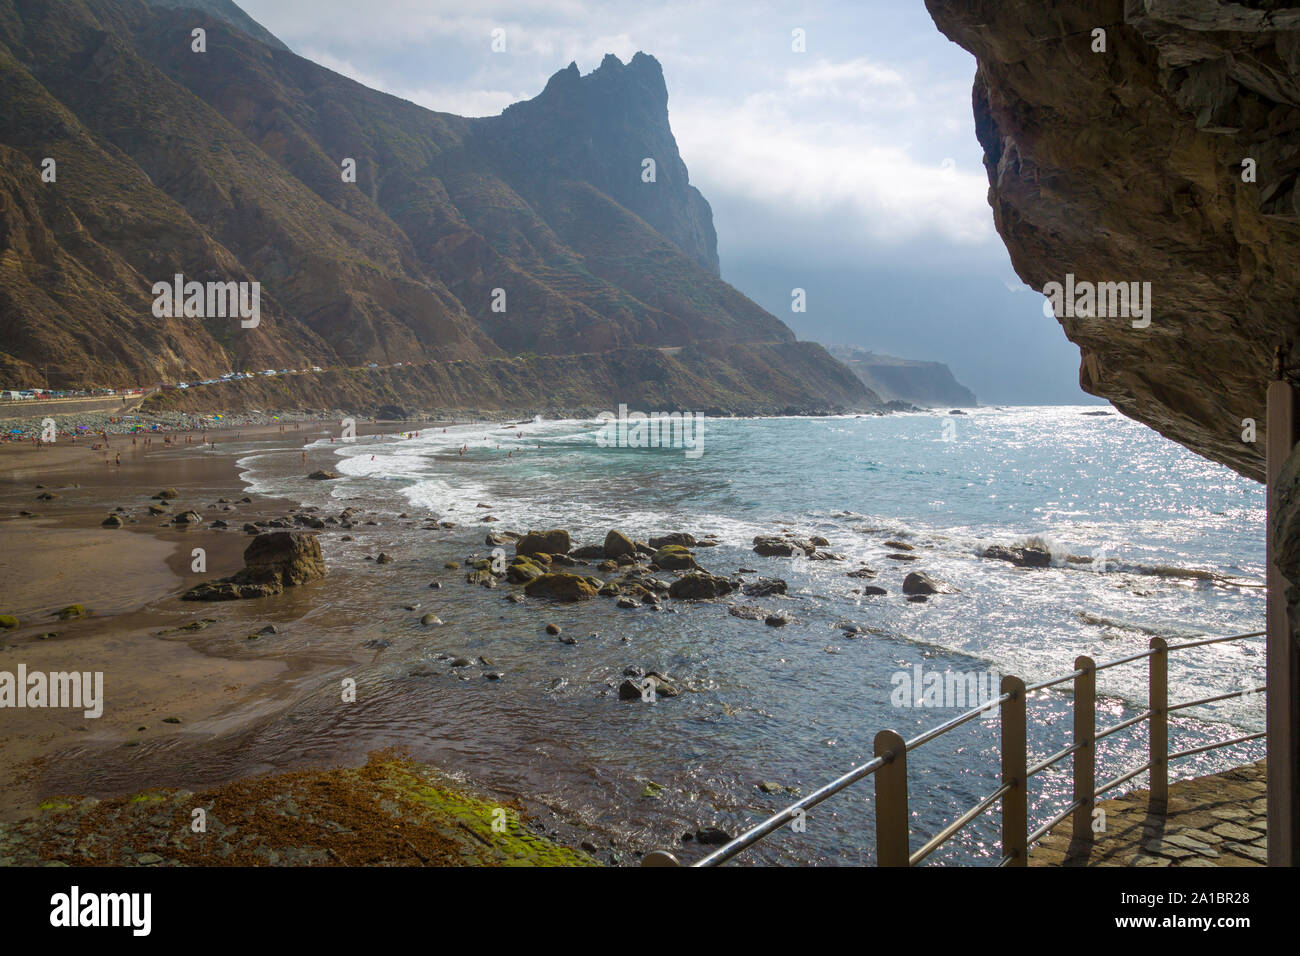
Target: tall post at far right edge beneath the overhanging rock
x: 1282, y: 706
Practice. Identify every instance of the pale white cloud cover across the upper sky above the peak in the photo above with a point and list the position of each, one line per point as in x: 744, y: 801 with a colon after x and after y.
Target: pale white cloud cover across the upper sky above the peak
x: 853, y: 135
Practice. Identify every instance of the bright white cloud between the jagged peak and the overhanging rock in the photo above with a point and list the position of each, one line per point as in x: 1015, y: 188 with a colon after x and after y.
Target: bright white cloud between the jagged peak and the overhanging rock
x: 817, y: 148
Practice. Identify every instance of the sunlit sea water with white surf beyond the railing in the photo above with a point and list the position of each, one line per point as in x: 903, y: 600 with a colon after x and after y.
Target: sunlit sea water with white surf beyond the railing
x: 1176, y: 547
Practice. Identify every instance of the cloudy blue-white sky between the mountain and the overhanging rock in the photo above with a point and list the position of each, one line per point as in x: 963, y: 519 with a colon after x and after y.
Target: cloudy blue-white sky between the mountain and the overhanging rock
x: 850, y: 168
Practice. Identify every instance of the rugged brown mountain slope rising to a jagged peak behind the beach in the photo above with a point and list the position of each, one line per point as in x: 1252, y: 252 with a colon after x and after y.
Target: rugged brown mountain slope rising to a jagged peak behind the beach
x: 128, y: 157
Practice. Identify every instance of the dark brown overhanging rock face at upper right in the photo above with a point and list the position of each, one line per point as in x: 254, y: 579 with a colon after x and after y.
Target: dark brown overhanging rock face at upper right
x: 1129, y: 166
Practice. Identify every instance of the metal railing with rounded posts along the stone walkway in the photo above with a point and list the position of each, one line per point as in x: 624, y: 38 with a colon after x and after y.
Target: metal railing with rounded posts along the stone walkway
x: 890, y: 765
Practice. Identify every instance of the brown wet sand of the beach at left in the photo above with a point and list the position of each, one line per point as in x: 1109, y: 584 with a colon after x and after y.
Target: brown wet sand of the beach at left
x: 177, y: 676
